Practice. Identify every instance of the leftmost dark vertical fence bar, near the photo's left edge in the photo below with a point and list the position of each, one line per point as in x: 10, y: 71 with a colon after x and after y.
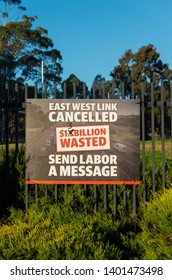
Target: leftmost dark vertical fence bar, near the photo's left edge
x: 7, y: 141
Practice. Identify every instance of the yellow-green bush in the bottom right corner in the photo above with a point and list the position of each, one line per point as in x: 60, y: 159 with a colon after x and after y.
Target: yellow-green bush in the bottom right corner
x: 154, y: 242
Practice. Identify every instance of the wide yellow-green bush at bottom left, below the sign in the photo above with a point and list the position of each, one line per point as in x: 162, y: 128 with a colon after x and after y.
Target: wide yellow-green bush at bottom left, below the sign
x: 52, y: 232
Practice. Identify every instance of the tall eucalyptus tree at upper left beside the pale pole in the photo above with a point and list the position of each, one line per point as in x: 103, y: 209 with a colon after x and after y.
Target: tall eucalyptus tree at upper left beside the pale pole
x: 23, y: 47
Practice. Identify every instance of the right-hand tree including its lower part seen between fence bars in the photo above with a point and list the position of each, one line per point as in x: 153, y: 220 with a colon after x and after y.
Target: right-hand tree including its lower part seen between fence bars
x: 144, y: 67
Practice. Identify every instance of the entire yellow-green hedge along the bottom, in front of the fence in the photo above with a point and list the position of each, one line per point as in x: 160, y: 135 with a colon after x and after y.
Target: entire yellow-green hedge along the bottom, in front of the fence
x: 51, y: 232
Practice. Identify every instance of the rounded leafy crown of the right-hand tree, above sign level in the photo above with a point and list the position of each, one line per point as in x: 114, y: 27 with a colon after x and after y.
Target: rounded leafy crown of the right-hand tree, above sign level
x: 144, y: 66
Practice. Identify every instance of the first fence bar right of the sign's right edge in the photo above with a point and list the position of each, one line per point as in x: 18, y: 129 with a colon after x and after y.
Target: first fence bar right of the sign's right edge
x: 143, y: 137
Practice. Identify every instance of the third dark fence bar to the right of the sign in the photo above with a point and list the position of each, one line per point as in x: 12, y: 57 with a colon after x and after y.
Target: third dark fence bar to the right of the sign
x: 163, y: 135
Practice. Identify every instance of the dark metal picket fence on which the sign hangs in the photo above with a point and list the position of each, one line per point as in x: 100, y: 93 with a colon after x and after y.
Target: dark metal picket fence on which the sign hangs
x: 155, y: 127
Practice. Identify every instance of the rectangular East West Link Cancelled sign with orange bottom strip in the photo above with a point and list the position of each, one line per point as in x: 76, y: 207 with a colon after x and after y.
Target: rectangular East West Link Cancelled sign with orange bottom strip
x: 83, y: 141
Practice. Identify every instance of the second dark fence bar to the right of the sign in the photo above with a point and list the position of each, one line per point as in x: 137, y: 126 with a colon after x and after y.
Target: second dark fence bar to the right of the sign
x: 153, y: 136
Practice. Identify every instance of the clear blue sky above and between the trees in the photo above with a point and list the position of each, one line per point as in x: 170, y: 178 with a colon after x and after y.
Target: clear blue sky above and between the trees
x: 93, y: 34
